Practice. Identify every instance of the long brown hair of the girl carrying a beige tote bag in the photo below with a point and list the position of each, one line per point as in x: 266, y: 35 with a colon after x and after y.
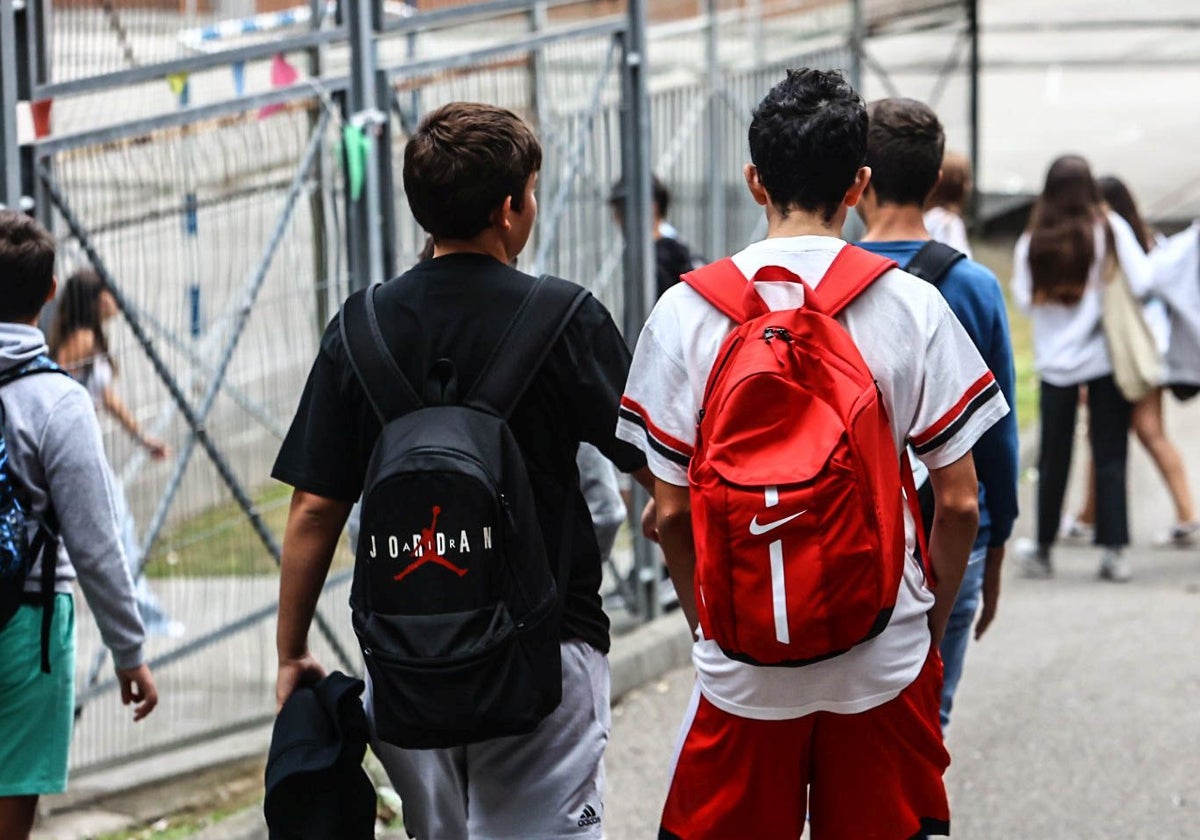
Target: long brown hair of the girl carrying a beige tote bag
x: 1063, y: 232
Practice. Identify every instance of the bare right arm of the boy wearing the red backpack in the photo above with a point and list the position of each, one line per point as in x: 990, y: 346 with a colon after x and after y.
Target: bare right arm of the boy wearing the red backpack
x: 956, y: 524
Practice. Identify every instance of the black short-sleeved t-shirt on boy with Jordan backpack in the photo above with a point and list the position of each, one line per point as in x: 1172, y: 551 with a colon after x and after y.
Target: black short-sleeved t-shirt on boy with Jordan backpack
x: 457, y: 308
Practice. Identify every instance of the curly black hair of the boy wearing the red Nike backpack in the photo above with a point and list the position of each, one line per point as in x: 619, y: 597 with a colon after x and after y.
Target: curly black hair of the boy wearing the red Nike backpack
x: 808, y: 140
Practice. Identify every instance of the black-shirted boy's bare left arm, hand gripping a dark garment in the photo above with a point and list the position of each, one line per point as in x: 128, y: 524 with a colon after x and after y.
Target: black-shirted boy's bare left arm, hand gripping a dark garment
x: 315, y: 524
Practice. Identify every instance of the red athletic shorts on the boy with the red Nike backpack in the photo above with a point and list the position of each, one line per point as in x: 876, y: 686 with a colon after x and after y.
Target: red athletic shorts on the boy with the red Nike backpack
x: 874, y: 776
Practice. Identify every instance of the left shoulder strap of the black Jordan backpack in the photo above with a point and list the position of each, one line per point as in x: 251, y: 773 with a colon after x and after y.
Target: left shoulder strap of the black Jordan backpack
x: 388, y: 389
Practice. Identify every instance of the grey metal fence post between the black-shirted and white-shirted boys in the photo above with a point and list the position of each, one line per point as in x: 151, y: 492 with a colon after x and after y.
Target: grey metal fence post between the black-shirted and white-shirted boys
x: 639, y: 255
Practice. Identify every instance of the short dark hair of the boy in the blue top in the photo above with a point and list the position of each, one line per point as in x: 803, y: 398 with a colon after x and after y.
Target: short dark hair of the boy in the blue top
x: 904, y: 149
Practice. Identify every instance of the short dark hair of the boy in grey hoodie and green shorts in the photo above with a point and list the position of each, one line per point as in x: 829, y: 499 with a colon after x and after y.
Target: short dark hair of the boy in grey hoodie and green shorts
x: 27, y: 266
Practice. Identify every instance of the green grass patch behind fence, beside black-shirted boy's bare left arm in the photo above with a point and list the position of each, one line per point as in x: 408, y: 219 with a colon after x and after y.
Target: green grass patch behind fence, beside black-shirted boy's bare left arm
x: 221, y: 542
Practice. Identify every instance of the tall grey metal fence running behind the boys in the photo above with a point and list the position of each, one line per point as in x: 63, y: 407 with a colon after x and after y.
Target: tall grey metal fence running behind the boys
x: 233, y: 178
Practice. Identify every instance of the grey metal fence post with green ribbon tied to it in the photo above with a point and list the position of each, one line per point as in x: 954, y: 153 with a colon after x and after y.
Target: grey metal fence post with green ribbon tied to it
x: 364, y: 231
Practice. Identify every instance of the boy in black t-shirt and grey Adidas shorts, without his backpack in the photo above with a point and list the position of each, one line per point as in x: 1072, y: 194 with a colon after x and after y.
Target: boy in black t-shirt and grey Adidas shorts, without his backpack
x: 470, y: 176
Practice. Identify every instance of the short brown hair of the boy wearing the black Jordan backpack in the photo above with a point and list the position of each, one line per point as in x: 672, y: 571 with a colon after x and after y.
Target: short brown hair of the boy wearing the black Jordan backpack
x: 463, y: 163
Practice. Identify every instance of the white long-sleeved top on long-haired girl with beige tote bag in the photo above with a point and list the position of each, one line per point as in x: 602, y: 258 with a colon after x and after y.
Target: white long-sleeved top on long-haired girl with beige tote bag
x: 1069, y: 341
